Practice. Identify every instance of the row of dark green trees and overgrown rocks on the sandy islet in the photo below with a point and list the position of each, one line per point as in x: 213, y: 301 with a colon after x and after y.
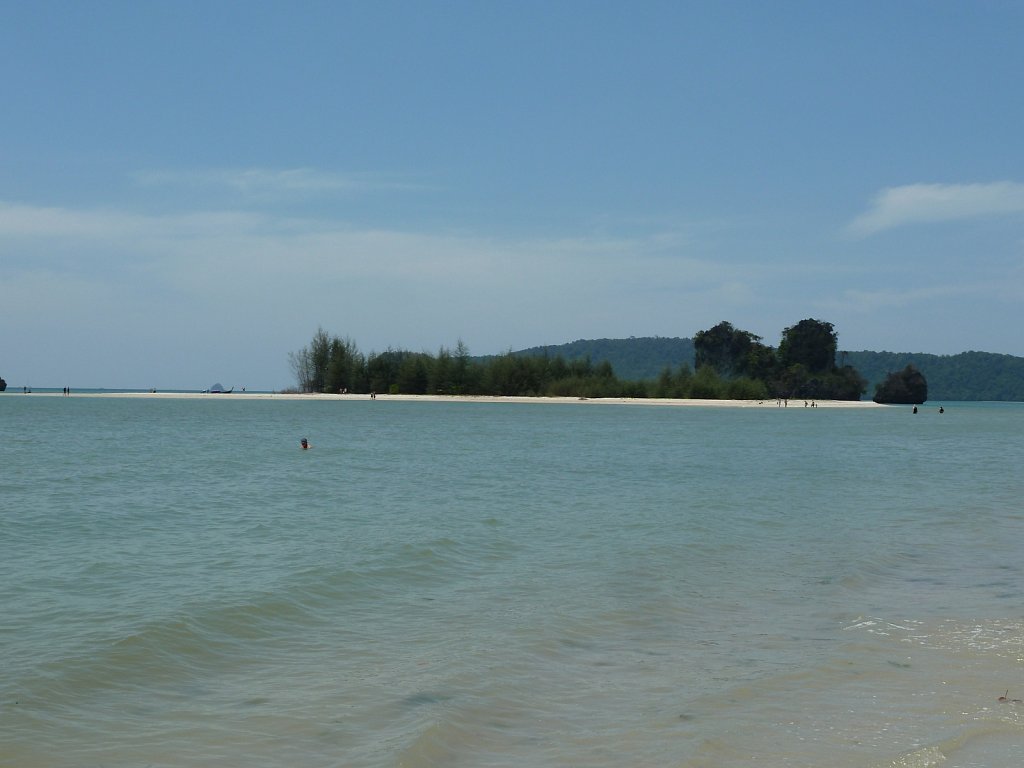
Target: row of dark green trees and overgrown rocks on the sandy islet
x: 730, y: 364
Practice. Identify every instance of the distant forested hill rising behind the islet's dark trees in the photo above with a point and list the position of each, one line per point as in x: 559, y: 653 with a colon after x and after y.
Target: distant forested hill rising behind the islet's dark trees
x: 968, y: 376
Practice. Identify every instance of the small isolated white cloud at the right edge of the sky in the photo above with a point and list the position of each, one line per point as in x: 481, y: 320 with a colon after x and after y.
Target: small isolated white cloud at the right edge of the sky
x: 915, y: 204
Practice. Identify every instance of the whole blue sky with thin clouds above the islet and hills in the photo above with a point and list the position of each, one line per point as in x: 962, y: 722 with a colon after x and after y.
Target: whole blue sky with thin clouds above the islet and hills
x: 189, y: 191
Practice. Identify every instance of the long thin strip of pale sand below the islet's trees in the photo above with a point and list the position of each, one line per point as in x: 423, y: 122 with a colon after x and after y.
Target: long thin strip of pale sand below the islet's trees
x: 460, y: 399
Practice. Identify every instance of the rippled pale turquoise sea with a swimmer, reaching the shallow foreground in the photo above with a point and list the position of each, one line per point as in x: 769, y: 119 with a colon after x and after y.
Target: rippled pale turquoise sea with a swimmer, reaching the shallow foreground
x: 508, y: 585
